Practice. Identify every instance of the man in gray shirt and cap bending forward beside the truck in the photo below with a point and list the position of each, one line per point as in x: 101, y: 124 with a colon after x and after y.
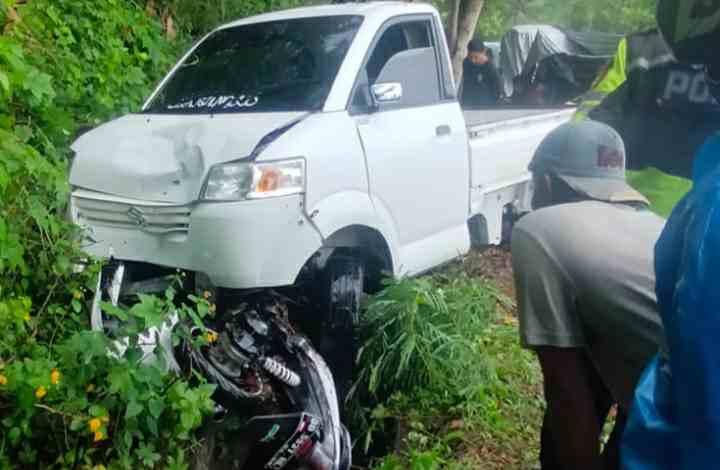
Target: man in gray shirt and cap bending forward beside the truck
x: 585, y: 283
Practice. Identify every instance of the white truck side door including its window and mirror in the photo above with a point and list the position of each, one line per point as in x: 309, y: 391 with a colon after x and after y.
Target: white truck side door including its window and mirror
x: 415, y: 141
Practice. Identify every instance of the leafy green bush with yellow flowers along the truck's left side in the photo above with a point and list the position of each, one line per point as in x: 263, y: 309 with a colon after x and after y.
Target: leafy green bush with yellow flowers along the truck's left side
x: 64, y: 402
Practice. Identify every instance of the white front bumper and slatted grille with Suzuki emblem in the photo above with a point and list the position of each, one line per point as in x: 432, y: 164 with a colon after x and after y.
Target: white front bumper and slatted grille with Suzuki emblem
x: 238, y: 245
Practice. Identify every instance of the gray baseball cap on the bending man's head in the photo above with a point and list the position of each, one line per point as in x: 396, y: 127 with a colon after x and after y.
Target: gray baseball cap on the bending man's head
x: 590, y: 157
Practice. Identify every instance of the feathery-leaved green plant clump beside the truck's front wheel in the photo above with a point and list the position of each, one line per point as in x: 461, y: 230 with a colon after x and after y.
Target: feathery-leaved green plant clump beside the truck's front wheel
x: 425, y: 334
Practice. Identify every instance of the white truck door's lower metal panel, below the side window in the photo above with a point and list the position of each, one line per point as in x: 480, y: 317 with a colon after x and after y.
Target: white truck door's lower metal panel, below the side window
x: 421, y: 180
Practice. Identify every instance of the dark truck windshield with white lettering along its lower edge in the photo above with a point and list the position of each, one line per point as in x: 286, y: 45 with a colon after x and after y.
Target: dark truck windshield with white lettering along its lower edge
x: 275, y: 66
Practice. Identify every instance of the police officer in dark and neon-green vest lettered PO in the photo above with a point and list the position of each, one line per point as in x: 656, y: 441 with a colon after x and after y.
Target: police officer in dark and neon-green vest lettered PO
x: 663, y: 110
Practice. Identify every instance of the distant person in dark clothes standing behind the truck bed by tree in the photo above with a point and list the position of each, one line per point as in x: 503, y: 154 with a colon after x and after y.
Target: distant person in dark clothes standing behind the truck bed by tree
x: 481, y: 82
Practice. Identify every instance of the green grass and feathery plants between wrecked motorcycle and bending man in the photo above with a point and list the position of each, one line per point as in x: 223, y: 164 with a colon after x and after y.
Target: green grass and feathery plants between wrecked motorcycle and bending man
x: 444, y: 379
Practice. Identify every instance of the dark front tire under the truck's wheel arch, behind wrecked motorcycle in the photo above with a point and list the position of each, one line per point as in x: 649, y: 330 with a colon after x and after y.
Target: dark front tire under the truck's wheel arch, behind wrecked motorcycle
x: 338, y: 293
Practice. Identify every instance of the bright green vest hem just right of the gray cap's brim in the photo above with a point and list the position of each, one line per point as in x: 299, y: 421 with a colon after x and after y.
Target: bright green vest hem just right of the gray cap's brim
x: 662, y: 190
